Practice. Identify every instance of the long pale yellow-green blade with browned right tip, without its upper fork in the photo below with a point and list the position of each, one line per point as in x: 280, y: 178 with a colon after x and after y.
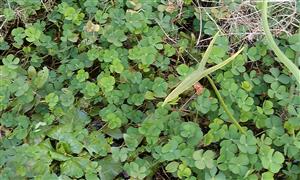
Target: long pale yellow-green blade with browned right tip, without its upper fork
x: 196, y: 76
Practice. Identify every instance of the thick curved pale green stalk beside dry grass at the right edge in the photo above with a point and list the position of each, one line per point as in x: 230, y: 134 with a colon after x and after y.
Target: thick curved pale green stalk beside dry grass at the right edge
x: 280, y: 55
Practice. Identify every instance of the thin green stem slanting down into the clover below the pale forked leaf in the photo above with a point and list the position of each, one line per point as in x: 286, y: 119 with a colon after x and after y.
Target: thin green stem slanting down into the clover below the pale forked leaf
x: 233, y: 120
